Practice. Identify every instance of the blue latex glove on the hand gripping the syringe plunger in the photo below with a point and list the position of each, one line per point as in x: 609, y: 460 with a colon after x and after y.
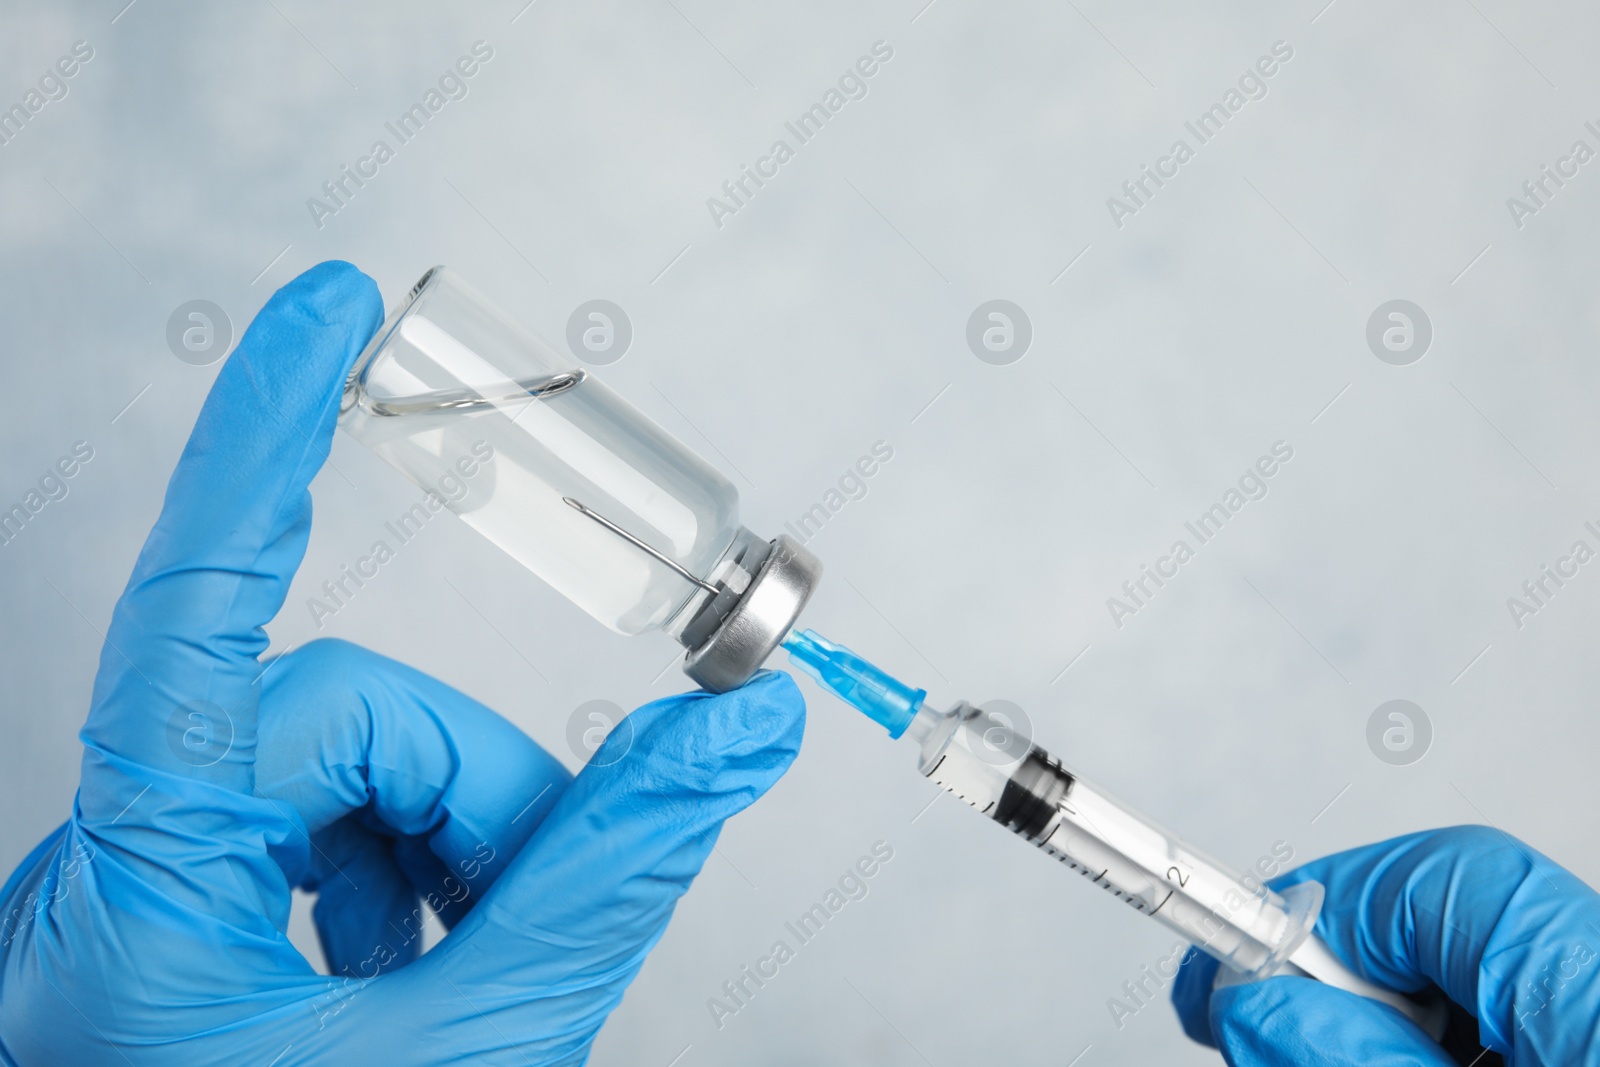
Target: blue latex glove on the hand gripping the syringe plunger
x: 1506, y: 933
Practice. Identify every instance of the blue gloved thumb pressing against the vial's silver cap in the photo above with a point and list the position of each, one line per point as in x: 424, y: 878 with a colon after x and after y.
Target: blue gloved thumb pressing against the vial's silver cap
x: 562, y: 933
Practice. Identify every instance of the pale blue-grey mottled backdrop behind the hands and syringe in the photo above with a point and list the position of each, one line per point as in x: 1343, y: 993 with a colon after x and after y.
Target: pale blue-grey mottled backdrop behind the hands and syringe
x: 828, y: 316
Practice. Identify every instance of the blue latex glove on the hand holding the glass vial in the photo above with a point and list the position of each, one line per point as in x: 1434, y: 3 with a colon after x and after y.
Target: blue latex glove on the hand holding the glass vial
x: 151, y: 927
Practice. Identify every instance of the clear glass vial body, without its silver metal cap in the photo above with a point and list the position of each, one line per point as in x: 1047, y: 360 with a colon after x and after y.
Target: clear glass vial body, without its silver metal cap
x: 550, y: 463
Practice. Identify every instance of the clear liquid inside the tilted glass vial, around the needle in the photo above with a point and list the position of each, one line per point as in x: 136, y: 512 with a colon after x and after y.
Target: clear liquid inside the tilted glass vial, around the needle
x: 506, y: 468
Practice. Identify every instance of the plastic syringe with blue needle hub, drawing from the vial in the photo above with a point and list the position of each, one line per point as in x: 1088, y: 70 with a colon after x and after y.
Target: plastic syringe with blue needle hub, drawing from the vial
x: 977, y: 756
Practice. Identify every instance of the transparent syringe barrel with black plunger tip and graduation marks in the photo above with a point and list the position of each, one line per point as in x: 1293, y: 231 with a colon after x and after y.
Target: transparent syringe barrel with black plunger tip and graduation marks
x: 1004, y: 777
